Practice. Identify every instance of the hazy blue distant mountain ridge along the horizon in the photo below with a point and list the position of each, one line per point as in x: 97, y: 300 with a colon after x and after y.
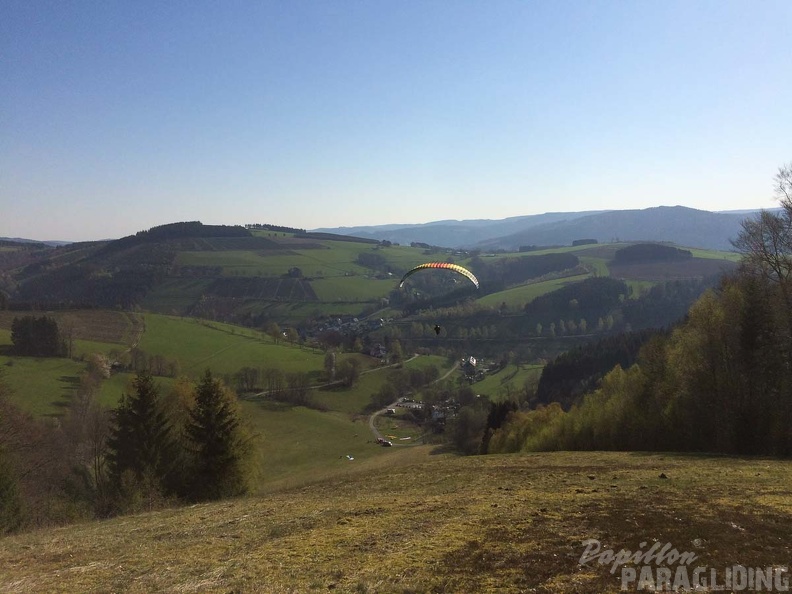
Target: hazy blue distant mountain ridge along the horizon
x: 676, y: 224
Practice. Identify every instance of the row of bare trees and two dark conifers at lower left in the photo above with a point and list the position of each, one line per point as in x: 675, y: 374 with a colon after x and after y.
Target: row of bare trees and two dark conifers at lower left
x: 154, y: 449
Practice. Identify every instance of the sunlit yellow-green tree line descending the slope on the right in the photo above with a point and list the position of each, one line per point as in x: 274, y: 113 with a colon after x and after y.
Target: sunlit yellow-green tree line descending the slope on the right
x: 720, y: 381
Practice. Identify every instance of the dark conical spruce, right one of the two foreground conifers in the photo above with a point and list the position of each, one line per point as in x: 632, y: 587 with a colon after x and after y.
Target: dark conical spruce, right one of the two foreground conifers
x: 214, y: 432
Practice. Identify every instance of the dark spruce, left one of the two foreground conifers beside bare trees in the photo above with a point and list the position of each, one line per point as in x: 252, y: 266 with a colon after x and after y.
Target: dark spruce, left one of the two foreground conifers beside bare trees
x: 142, y: 453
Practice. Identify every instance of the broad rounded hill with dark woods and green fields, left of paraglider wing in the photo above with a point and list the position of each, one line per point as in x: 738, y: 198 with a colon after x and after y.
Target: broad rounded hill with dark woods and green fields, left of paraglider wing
x: 249, y: 276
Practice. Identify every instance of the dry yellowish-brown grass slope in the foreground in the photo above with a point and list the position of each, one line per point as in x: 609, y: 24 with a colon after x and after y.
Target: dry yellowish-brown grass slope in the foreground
x: 428, y: 523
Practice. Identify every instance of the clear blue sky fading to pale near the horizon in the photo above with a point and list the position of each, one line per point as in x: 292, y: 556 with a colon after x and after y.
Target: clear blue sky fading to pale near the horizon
x: 118, y: 116
